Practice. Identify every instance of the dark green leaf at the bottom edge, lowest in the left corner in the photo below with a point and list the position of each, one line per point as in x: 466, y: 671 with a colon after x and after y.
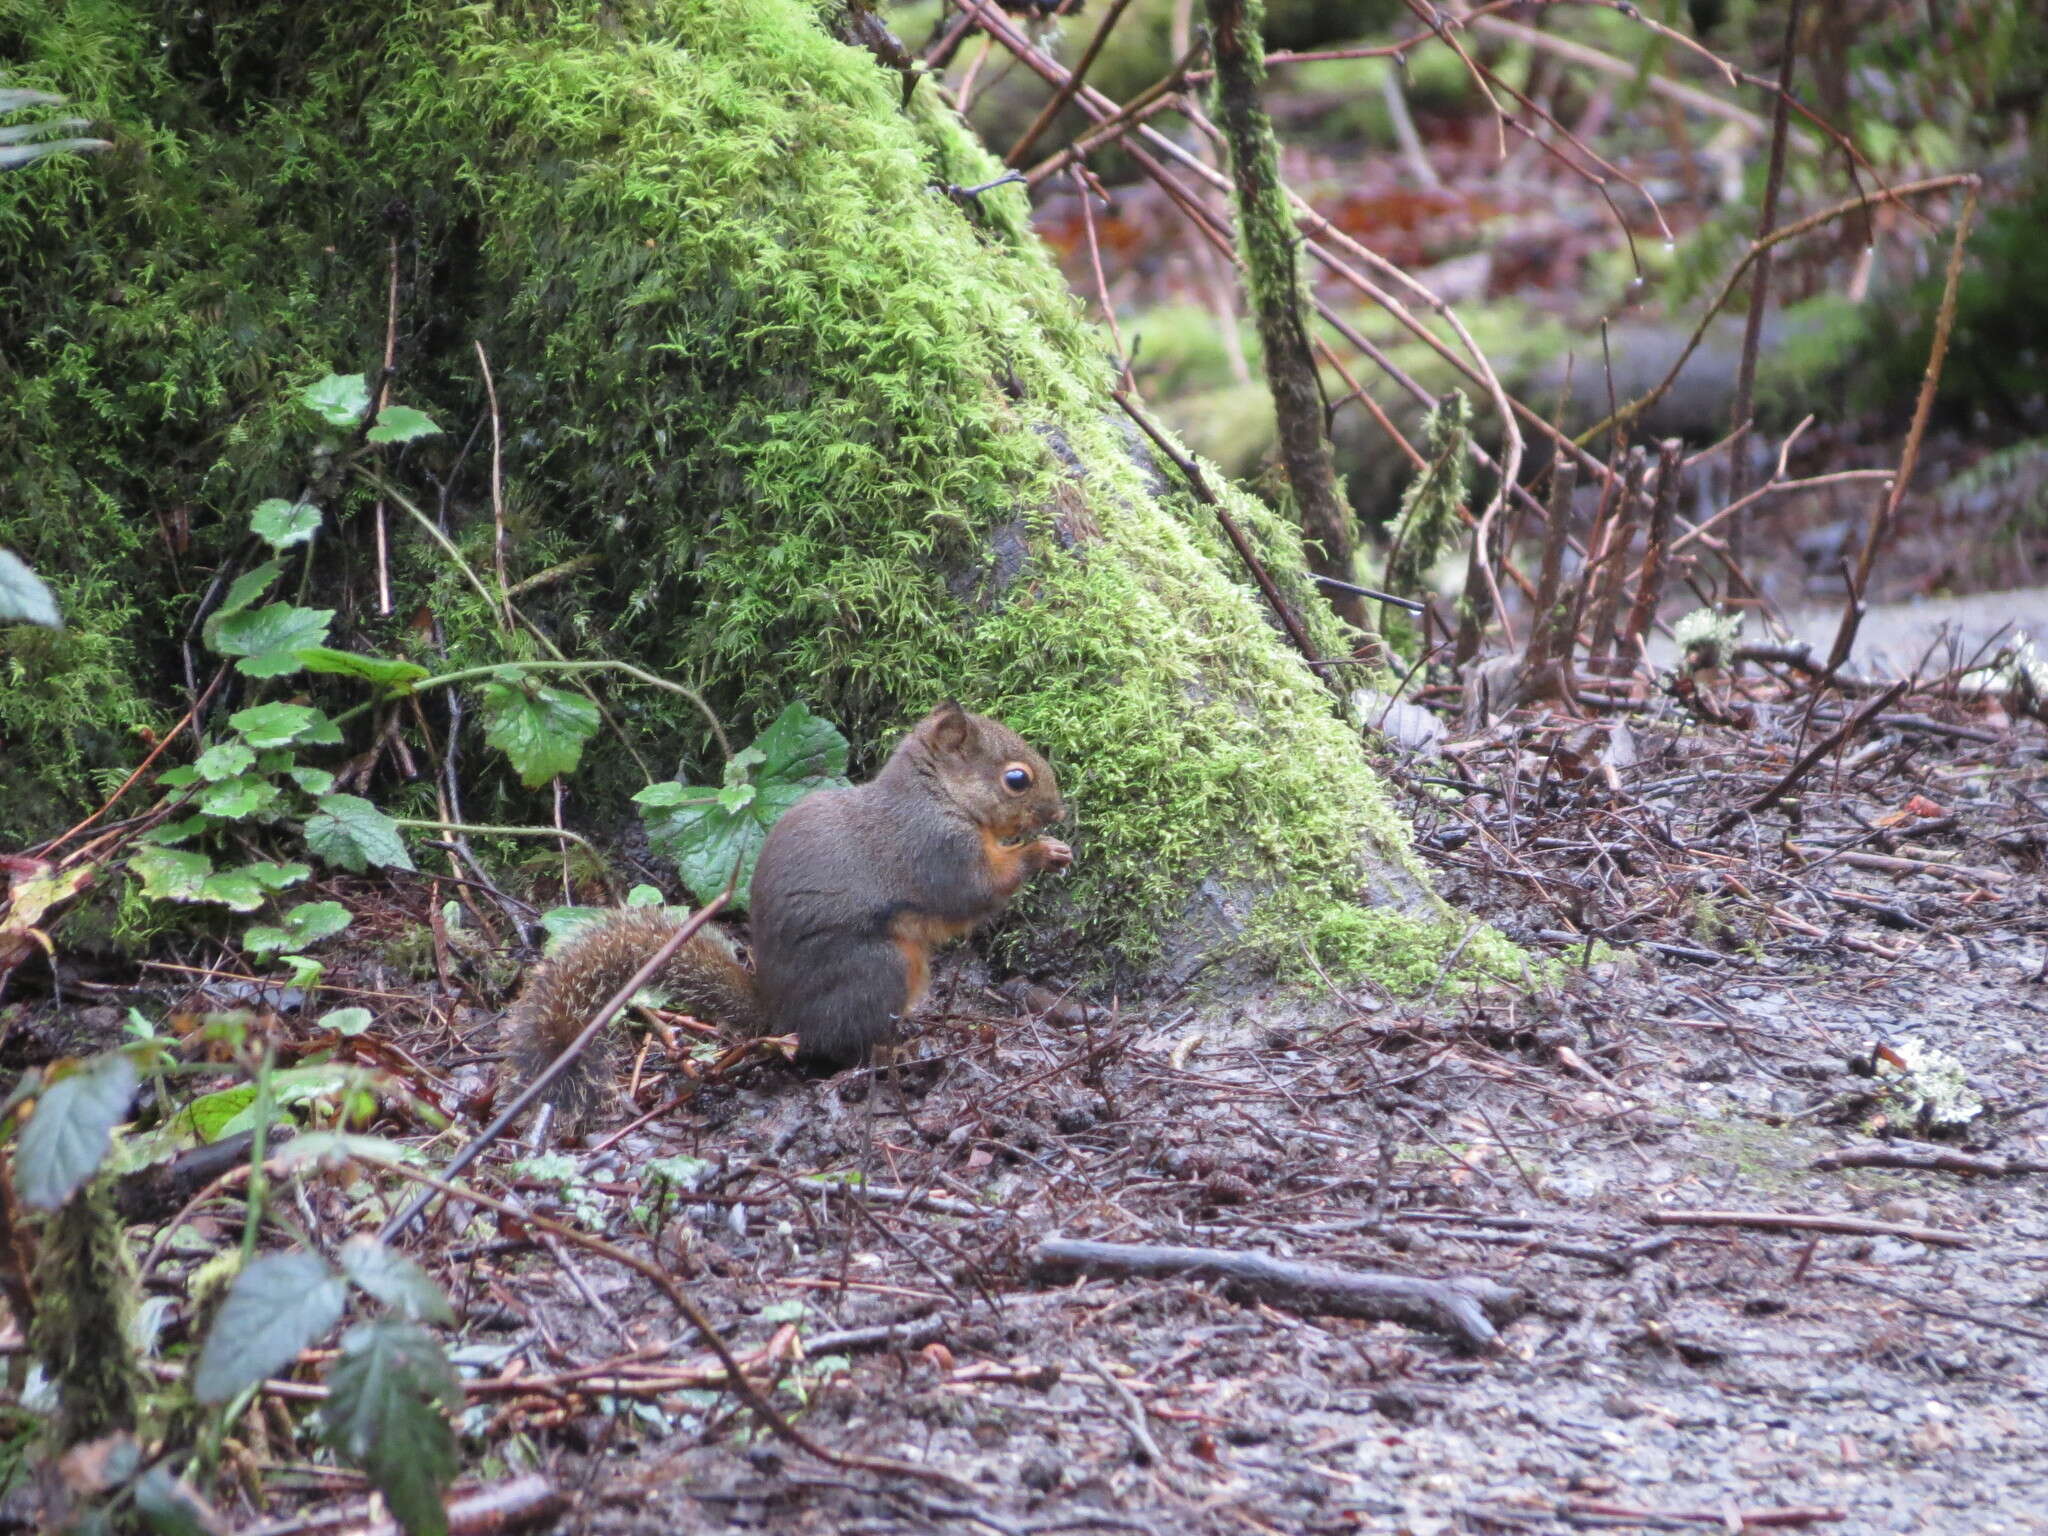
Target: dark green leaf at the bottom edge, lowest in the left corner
x: 388, y: 1412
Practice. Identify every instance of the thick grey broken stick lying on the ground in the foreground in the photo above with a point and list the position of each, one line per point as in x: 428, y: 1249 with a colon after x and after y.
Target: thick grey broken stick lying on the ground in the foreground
x: 1457, y: 1308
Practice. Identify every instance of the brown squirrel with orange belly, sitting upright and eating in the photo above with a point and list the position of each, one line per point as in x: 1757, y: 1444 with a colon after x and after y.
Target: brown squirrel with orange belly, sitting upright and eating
x: 853, y: 892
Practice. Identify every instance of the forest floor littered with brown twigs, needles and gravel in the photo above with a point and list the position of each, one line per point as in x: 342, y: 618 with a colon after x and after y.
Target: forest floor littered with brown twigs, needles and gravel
x: 1764, y: 980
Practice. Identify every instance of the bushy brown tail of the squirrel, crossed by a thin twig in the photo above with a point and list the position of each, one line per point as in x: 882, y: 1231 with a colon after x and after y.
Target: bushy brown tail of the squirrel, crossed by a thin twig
x: 566, y: 990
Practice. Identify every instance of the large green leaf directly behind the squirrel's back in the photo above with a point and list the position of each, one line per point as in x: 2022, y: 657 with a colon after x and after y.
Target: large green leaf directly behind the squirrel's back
x: 708, y: 833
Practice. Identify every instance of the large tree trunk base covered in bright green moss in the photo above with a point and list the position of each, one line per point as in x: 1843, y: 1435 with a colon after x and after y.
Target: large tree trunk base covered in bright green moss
x: 783, y: 419
